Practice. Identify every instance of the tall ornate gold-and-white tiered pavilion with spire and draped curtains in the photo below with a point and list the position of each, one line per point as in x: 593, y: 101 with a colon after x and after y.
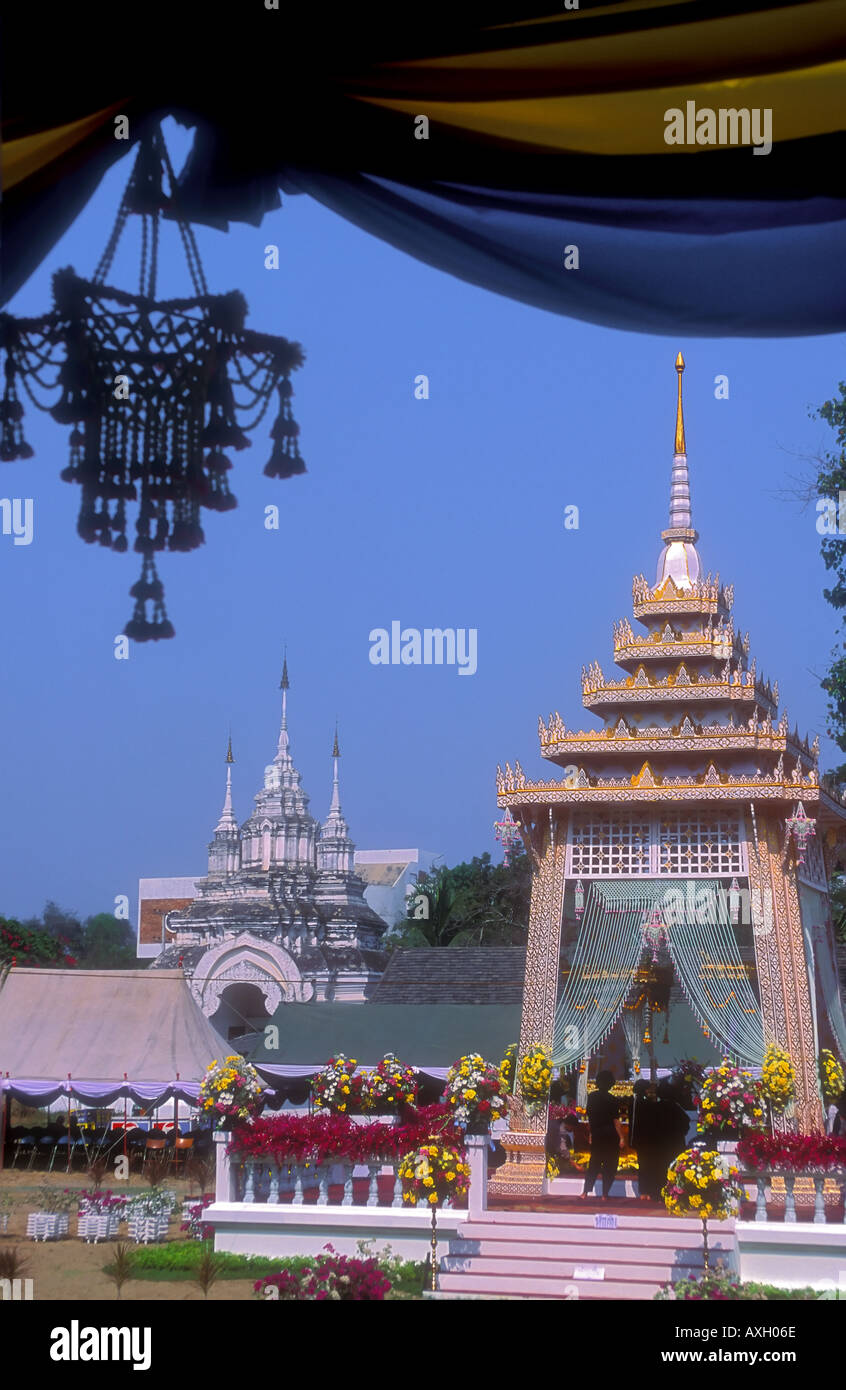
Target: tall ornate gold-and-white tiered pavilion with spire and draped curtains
x: 694, y: 824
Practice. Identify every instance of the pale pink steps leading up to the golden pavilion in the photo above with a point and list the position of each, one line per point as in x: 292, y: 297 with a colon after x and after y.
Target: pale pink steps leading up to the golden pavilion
x: 567, y: 1256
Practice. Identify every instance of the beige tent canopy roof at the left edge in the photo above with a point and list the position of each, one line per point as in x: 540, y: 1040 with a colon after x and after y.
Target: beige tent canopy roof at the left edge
x: 98, y: 1025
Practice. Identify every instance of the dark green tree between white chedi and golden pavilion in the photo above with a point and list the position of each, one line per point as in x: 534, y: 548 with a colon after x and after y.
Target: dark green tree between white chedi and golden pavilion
x: 473, y: 904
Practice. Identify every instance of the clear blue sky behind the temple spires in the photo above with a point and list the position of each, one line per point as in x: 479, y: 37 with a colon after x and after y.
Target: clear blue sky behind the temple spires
x: 447, y: 512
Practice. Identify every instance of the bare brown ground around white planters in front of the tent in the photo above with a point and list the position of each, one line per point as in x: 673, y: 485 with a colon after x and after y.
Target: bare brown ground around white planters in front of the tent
x: 72, y: 1270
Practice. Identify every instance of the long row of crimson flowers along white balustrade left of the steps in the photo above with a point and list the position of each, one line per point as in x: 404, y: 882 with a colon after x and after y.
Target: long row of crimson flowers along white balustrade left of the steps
x: 334, y: 1139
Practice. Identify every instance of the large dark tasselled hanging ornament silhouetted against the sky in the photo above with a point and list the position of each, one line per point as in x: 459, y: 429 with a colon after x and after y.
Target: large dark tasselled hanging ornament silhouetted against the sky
x: 147, y: 389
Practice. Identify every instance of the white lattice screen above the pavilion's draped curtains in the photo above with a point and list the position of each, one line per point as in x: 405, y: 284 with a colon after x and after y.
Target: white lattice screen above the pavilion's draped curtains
x: 681, y: 844
